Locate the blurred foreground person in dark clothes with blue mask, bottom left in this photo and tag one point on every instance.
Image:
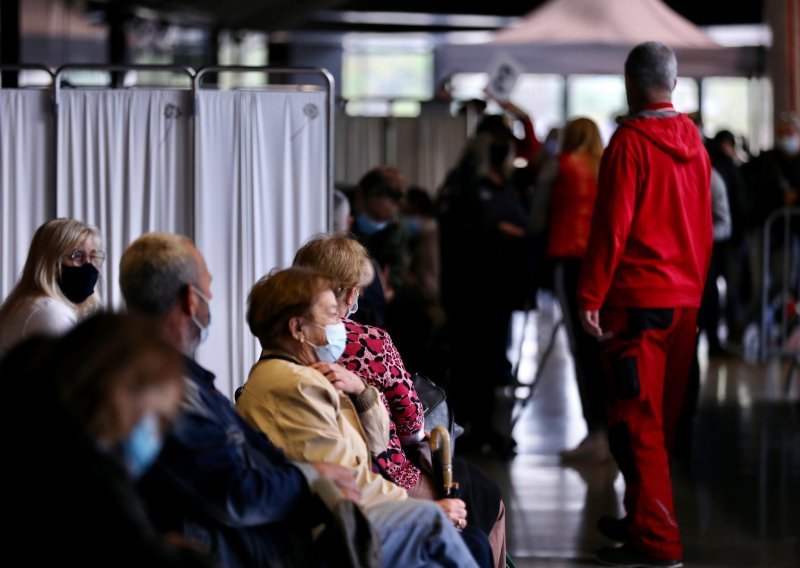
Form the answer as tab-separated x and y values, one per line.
104	395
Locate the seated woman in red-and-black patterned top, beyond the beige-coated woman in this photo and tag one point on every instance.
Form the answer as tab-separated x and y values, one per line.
370	353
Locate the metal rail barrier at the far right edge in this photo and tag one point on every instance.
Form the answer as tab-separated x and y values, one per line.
766	349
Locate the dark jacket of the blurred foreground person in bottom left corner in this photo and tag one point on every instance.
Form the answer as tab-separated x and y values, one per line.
74	504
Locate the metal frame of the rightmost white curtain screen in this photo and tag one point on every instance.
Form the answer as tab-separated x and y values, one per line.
315	71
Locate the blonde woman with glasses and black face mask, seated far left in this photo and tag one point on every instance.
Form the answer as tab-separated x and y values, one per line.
57	286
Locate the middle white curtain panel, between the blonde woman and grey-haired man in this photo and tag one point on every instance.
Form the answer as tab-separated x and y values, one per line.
124	165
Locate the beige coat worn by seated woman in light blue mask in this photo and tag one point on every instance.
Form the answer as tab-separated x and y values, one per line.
311	421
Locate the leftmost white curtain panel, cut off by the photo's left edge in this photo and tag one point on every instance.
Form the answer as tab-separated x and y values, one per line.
26	176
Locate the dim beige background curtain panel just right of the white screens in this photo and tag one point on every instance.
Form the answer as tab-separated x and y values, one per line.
360	145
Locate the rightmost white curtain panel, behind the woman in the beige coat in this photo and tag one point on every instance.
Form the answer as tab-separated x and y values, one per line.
261	192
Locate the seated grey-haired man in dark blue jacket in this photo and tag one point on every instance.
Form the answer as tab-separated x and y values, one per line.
218	480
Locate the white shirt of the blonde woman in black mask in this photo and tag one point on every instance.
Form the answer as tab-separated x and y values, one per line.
38	315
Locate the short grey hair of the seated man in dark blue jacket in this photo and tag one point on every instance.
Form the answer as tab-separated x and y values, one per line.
153	271
